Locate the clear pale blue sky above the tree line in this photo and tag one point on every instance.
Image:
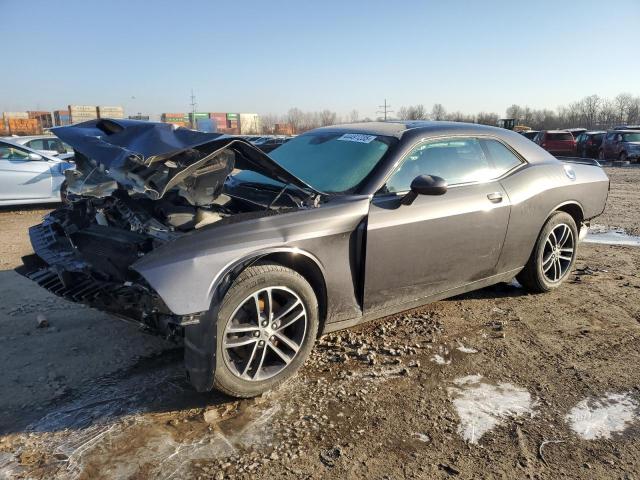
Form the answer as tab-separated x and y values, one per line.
266	57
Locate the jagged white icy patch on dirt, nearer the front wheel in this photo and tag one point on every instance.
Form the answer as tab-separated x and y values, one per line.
482	406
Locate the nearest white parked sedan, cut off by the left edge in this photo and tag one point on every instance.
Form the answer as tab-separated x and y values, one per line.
28	176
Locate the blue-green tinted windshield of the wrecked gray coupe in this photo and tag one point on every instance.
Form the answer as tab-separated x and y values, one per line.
329	162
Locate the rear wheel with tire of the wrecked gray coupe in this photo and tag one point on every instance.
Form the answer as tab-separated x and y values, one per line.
553	256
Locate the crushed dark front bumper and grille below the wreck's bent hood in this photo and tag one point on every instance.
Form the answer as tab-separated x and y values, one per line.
88	263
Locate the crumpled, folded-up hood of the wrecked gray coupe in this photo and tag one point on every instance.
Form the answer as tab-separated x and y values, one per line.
151	157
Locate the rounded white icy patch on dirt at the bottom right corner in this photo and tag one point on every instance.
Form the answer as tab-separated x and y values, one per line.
604	417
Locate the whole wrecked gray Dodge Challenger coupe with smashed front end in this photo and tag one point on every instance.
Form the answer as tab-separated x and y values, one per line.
250	257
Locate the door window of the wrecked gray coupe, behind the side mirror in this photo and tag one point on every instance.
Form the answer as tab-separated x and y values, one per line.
457	160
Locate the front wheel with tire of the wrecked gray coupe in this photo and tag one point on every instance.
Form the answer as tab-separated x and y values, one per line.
267	325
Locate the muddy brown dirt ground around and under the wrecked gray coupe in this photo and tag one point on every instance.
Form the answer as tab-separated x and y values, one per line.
492	384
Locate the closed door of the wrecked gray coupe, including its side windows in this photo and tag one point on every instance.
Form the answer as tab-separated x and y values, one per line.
438	242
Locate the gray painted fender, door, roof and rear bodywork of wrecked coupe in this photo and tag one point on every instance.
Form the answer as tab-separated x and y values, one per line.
412	253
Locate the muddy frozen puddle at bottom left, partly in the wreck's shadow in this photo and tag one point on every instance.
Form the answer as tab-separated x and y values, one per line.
148	424
